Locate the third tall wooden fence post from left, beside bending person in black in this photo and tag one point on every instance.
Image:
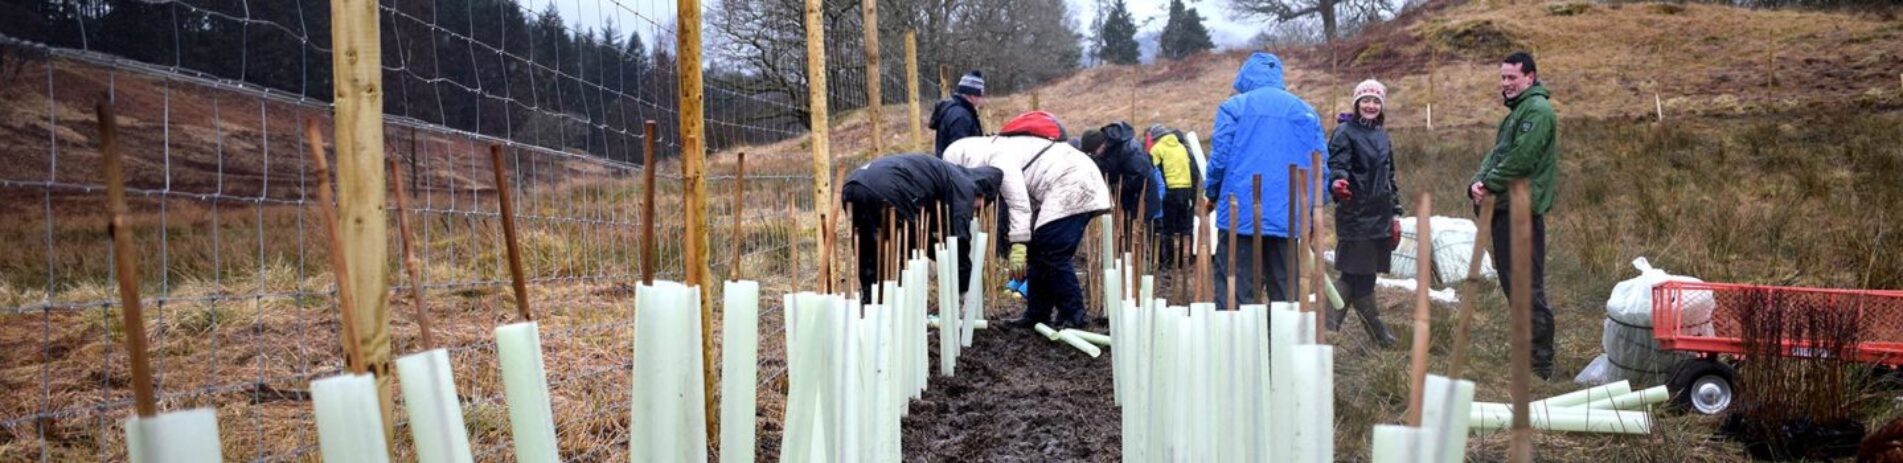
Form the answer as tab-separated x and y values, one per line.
819	132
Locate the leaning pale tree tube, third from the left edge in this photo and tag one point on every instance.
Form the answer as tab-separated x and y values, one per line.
435	413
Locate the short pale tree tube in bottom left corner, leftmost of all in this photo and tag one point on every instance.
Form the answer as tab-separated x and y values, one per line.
178	437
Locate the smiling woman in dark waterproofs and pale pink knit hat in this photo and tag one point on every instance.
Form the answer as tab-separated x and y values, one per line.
1362	176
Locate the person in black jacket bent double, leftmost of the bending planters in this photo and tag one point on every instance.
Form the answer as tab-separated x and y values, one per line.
911	188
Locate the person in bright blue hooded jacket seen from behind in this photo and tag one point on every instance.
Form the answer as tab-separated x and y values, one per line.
1261	131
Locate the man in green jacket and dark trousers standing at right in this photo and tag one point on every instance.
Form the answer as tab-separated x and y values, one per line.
1525	150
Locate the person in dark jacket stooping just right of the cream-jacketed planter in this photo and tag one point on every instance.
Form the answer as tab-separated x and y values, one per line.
1126	169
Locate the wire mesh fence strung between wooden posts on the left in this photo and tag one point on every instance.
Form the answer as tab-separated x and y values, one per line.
233	254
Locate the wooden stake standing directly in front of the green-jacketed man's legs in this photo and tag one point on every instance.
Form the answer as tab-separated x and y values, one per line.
1523	306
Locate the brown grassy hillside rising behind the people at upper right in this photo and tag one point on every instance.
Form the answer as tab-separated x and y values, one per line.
1599	60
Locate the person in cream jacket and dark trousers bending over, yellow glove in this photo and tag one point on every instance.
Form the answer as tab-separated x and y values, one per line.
1051	191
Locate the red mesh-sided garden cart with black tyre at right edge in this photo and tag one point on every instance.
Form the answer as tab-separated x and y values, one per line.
1708	321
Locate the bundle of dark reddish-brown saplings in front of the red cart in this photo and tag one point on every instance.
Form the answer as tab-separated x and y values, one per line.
1799	397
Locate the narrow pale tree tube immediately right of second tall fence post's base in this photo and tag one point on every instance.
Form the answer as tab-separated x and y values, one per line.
739	371
